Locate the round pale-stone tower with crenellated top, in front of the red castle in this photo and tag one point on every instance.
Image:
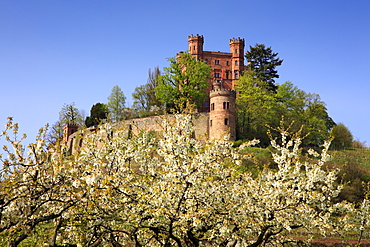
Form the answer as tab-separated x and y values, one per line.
222	112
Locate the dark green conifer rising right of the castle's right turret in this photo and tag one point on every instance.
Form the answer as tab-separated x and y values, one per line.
264	61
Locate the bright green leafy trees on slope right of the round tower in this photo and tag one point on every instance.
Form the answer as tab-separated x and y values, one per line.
259	109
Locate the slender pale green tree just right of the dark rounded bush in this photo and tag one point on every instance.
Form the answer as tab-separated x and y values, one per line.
116	104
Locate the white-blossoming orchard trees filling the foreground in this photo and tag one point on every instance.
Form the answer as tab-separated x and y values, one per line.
166	189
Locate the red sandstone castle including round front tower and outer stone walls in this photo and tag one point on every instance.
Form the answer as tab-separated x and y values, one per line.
216	117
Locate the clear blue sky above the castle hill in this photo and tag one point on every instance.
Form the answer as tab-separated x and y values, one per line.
64	51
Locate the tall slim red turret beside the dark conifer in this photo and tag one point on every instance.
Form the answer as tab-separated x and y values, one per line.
237	59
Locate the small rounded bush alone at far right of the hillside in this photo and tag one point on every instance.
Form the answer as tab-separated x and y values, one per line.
342	137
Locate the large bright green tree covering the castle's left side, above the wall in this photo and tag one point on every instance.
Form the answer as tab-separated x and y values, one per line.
184	83
